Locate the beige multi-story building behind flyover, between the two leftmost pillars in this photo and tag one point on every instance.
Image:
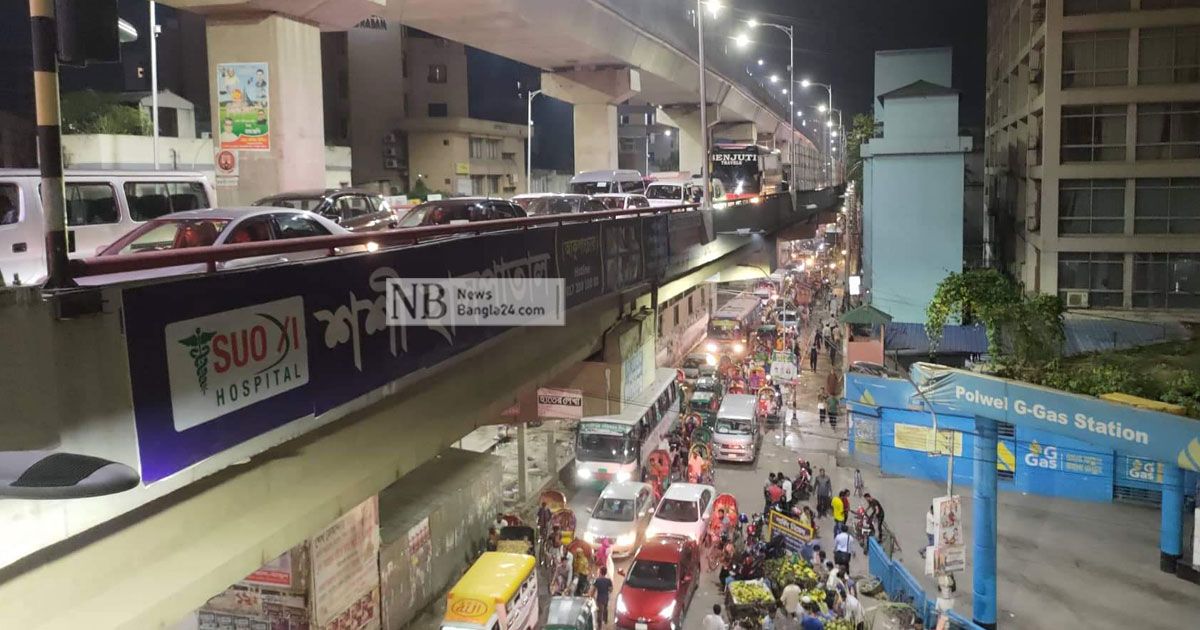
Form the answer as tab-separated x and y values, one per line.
401	100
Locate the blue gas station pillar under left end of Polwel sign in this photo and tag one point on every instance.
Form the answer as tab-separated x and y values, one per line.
985	521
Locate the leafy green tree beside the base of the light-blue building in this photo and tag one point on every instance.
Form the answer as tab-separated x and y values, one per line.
1022	328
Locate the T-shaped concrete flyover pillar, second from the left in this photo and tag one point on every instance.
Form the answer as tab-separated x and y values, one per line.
596	95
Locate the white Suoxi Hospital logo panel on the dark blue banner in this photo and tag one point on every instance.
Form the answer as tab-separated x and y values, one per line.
225	362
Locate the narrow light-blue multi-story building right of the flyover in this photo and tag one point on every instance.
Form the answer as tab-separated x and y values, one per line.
914	178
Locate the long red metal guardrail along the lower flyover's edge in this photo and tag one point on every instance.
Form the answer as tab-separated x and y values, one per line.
394	238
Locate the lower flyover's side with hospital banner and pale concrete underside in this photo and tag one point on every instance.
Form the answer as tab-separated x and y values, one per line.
226	489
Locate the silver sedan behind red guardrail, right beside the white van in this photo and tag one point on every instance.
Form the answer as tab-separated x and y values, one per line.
202	229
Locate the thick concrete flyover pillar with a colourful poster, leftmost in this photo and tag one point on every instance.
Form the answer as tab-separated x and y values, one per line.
292	157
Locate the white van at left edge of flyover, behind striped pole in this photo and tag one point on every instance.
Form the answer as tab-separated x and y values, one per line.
103	207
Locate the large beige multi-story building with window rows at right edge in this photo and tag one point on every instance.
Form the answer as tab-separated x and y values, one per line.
1094	149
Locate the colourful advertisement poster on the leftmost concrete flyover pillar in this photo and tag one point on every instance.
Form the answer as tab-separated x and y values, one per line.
243	106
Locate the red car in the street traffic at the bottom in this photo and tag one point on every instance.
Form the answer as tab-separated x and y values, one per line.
659	585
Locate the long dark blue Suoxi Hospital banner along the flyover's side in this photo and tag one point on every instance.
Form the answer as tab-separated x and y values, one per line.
218	361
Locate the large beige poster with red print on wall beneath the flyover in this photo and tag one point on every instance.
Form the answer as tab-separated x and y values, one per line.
346	571
